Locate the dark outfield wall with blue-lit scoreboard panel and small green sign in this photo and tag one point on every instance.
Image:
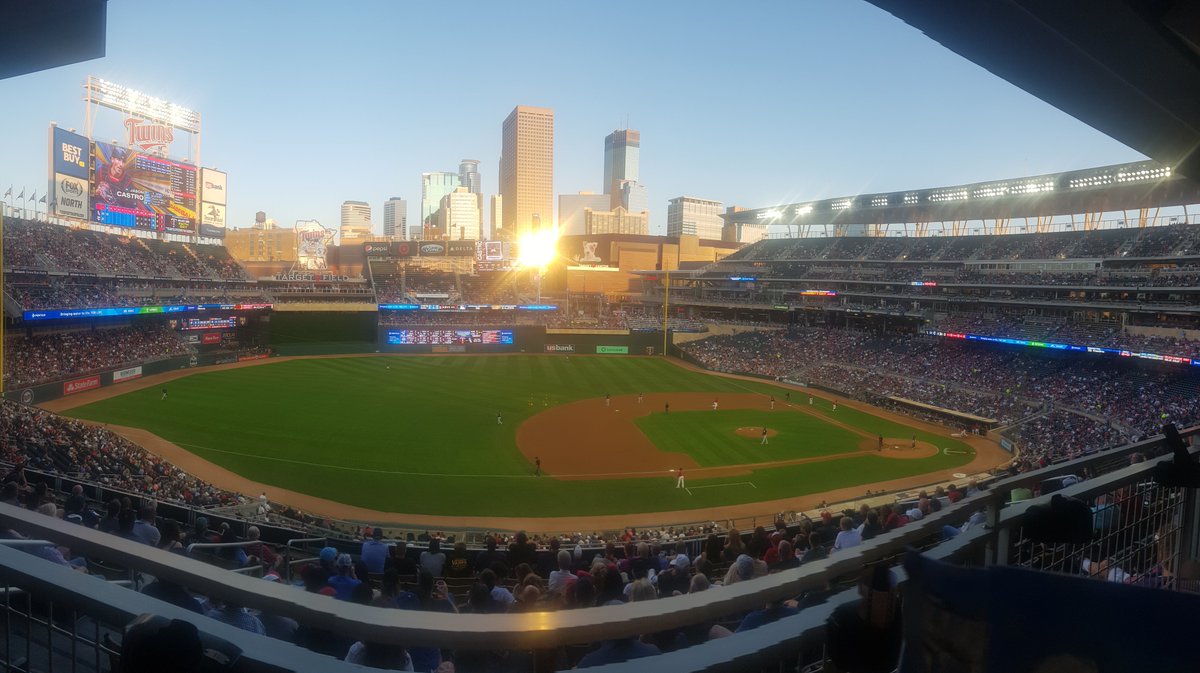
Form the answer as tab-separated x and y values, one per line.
525	339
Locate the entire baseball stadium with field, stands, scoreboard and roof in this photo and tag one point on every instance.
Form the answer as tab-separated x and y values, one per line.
303	449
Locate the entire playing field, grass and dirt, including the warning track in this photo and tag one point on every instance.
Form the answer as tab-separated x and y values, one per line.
418	436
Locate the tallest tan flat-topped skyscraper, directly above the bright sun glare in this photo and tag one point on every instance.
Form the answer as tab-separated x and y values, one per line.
527	170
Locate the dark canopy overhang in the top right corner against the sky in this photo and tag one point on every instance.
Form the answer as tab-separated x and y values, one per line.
1129	69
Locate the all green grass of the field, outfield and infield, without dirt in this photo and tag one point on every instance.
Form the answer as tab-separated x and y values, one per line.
419	435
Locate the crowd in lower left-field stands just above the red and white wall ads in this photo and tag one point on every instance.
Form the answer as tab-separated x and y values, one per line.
45	358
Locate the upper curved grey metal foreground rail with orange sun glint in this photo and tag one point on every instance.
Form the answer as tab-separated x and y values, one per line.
543	630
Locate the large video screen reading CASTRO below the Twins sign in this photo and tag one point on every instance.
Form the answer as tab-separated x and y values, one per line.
140	191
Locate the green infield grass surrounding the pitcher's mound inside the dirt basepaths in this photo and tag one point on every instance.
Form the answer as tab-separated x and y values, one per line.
711	437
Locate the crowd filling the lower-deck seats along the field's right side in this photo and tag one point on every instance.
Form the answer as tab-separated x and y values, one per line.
981	380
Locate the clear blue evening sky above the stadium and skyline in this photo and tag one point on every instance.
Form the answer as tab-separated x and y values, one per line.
307	105
